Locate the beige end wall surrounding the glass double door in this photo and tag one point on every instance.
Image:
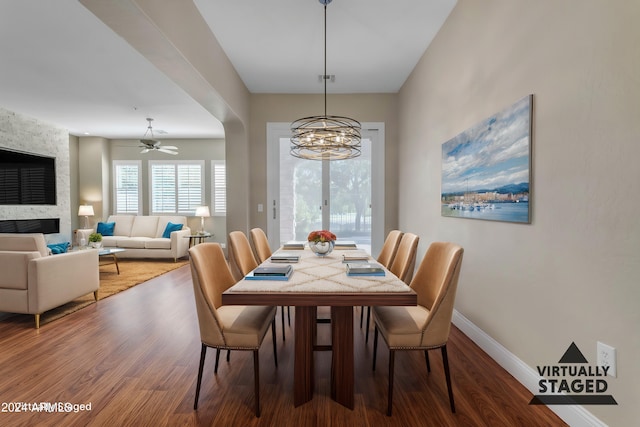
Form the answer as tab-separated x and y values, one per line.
287	108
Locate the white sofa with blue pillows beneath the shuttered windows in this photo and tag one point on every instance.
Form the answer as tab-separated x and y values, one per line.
141	236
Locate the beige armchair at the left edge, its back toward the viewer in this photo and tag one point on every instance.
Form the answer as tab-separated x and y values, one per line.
33	281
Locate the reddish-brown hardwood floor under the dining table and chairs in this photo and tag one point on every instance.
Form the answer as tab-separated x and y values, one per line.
134	358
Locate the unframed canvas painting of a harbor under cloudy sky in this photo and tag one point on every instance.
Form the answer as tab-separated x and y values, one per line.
486	170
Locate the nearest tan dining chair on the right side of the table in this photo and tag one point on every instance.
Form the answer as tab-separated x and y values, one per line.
425	326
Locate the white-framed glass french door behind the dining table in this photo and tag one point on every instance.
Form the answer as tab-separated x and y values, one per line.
344	196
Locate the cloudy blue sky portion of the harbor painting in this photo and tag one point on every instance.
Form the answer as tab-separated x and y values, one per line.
491	154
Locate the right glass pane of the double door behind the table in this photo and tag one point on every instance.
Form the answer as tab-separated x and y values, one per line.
350	216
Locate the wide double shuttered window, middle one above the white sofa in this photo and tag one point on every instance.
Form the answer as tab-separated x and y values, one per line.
176	187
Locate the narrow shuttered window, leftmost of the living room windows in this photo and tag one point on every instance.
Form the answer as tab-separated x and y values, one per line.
127	187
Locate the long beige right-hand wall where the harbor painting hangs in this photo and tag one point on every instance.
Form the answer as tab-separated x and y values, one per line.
572	274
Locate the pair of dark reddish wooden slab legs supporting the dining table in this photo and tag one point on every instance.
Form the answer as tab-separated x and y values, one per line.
342	358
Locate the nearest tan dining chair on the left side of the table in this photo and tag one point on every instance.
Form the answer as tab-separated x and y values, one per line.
229	327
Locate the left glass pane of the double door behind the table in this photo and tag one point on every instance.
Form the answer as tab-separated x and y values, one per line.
300	195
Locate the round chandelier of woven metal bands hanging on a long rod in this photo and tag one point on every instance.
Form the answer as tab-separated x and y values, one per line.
325	137
